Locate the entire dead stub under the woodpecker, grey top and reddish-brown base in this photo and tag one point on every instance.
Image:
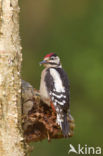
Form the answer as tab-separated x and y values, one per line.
40	121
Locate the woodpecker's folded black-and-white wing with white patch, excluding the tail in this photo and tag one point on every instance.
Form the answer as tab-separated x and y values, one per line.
58	87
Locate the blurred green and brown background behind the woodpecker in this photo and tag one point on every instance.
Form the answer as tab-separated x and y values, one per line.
73	29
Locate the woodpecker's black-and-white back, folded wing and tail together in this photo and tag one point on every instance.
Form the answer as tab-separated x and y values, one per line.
58	87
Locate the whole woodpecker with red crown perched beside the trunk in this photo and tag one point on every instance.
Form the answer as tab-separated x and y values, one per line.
55	90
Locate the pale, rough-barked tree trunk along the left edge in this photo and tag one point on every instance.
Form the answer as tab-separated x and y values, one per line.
11	138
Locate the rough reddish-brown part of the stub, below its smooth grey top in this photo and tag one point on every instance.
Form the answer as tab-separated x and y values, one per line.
43	124
